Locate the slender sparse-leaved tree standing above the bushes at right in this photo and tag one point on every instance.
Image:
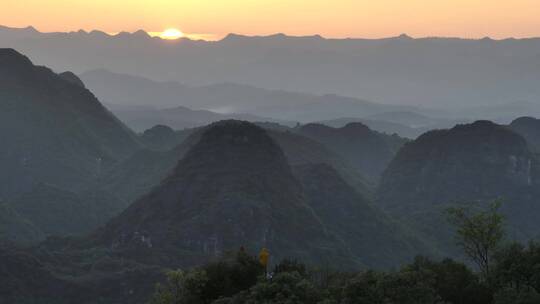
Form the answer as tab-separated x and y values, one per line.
479	233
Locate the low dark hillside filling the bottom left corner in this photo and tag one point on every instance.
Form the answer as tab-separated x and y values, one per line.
38	276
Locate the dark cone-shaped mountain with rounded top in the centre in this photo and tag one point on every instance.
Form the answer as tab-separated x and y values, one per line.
233	188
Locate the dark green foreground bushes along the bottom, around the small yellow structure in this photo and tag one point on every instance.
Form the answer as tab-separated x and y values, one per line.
422	282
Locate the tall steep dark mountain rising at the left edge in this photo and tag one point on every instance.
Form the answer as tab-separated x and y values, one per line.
55	135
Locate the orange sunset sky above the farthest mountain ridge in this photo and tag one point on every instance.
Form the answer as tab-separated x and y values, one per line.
330	18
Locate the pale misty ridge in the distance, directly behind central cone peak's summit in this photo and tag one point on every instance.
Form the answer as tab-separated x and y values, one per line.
126	95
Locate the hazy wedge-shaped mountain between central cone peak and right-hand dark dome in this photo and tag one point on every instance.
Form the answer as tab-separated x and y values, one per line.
368	152
